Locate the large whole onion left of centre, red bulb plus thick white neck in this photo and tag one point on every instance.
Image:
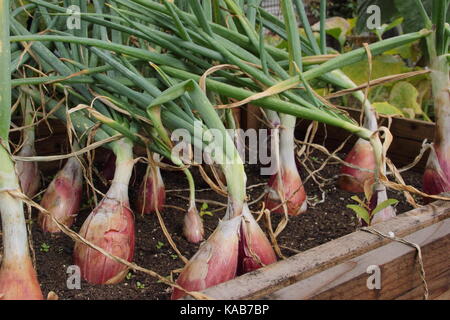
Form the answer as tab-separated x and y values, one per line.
110	226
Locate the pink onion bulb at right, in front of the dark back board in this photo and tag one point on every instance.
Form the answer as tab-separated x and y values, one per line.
352	180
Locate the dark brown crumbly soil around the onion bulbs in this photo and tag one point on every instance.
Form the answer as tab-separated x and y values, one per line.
323	222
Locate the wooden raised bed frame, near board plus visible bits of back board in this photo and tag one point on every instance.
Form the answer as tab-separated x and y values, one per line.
338	269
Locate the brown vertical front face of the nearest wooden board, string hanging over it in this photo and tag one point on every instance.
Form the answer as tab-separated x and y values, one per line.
398	266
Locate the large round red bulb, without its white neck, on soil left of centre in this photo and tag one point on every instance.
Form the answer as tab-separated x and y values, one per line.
111	227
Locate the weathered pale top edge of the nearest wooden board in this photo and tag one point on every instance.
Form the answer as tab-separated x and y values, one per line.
274	277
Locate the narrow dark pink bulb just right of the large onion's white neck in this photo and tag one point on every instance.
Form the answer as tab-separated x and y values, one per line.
150	199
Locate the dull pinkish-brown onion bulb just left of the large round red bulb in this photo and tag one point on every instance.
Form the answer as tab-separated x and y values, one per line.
63	197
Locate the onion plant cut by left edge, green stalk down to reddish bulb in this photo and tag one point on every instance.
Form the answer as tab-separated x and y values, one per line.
18	279
